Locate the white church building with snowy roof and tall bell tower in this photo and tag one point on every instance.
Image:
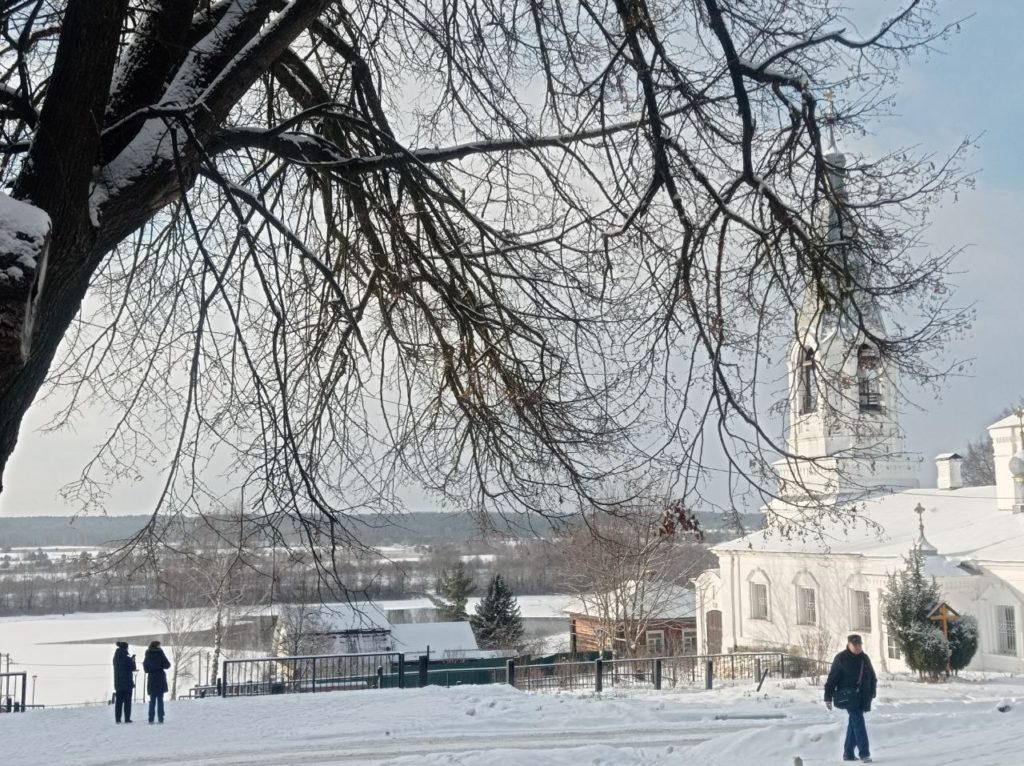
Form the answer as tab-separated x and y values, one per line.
777	589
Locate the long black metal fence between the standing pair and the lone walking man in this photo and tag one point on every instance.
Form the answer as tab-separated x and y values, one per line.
373	671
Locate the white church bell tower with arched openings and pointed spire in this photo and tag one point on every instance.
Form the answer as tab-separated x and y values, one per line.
843	425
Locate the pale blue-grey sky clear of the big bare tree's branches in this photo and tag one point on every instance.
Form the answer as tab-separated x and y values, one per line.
972	90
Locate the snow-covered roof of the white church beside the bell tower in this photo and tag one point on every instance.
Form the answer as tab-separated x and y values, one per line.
963	525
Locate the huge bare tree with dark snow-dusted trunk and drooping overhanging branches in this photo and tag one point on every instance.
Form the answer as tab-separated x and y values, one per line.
507	253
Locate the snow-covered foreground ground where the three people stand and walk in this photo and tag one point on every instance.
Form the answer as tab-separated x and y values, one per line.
913	724
